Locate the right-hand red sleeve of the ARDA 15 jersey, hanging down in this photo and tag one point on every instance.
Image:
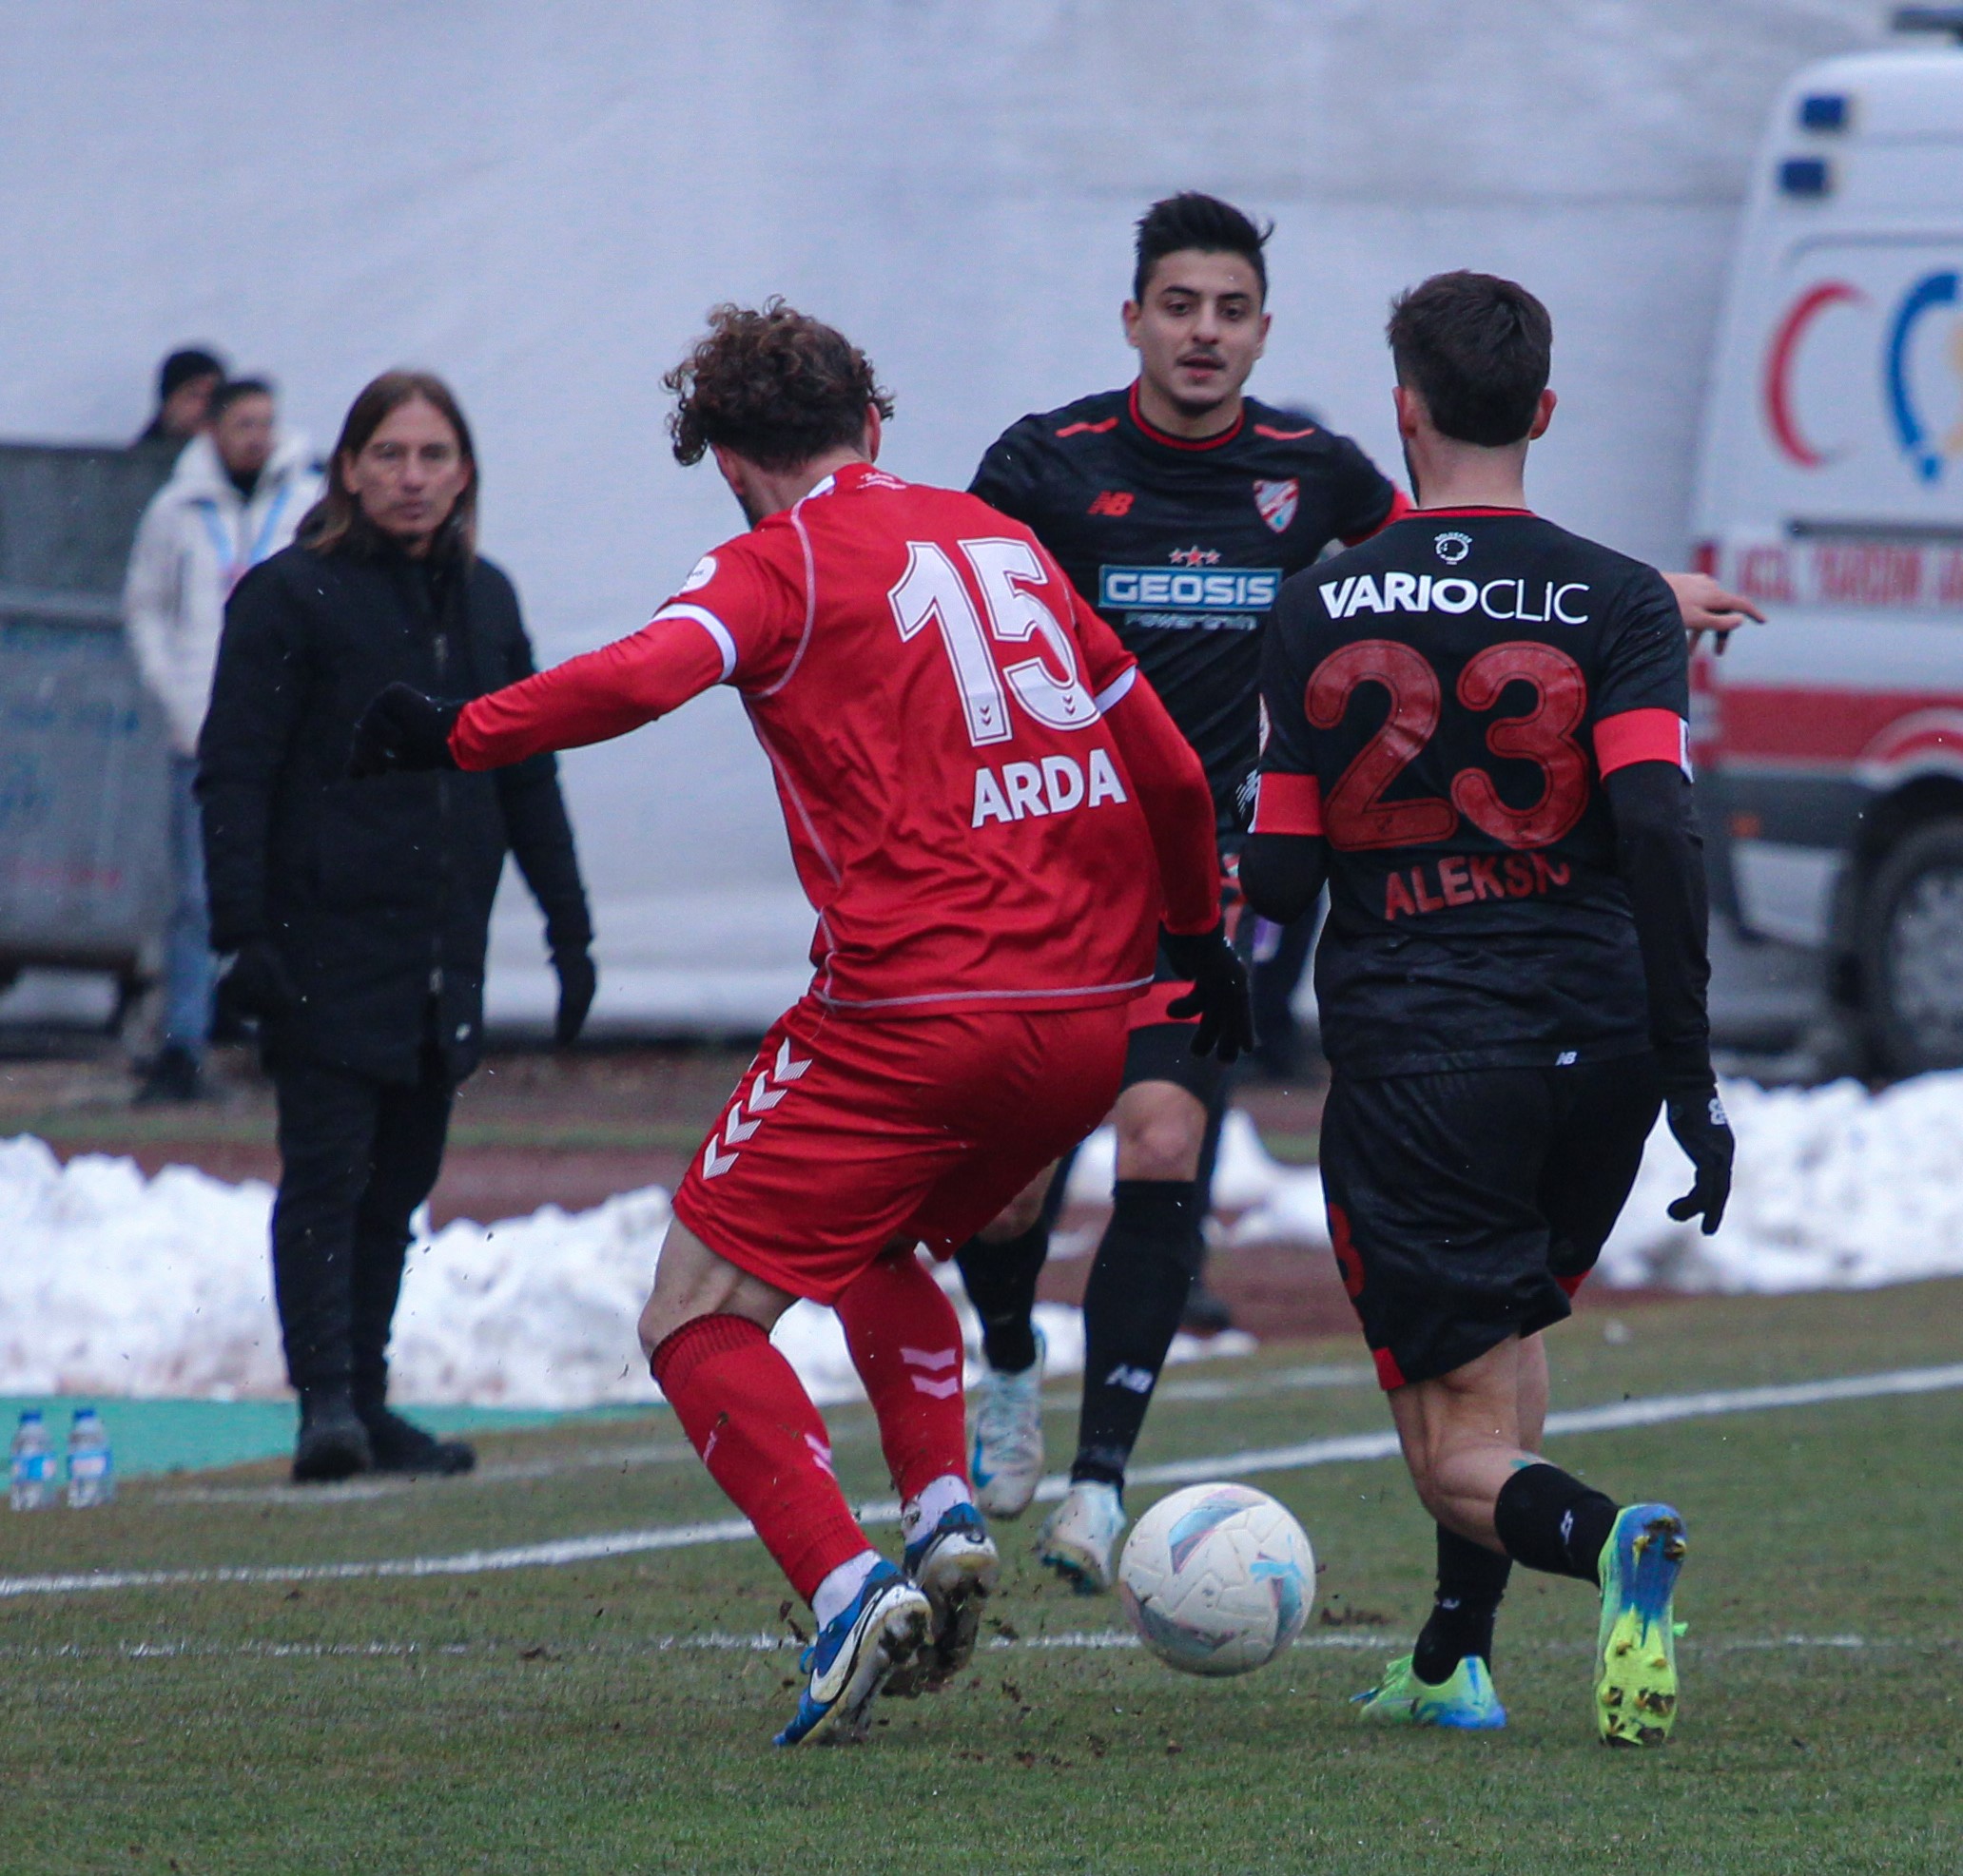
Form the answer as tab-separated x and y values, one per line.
1167	774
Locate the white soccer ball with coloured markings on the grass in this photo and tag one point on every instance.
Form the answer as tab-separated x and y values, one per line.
1218	1579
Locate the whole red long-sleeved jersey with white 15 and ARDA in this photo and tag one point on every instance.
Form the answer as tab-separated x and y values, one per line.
988	808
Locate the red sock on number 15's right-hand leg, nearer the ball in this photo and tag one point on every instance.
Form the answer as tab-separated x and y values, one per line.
908	1349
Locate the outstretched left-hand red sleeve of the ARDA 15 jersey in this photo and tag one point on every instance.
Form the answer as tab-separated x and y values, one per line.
737	619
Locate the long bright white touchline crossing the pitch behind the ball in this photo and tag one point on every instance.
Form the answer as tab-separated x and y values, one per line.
1346	1449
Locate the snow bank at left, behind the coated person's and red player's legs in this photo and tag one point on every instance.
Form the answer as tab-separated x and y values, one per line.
127	1286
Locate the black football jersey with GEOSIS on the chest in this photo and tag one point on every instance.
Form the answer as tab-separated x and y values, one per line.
1185	547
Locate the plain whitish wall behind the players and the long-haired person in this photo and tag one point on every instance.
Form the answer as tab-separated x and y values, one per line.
541	203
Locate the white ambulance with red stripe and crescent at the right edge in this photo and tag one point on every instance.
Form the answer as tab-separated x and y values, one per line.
1830	490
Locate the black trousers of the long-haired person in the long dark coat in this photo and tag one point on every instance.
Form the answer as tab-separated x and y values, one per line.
358	1157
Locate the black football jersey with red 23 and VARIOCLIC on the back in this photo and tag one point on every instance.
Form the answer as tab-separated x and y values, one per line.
1442	705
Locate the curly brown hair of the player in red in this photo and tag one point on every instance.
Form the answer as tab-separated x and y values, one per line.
774	386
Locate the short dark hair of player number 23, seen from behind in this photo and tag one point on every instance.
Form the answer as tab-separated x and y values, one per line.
1477	350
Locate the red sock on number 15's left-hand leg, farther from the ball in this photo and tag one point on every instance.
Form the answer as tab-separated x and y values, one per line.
763	1441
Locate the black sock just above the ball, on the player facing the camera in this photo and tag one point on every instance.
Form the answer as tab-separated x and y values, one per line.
1132	1314
